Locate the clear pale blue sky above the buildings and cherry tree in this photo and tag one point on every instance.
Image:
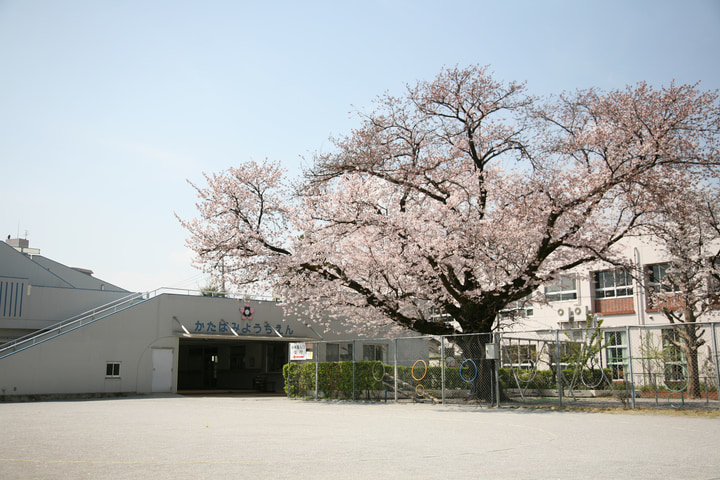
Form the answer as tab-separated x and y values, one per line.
108	106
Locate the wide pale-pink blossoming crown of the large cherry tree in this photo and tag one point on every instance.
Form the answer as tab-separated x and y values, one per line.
457	198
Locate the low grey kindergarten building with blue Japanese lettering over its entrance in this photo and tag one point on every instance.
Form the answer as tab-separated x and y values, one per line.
65	332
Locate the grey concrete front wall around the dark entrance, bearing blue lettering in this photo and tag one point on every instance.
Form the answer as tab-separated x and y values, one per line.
75	362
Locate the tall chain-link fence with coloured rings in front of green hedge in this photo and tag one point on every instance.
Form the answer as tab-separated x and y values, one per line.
671	366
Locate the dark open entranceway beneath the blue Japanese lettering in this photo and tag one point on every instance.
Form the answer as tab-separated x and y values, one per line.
238	366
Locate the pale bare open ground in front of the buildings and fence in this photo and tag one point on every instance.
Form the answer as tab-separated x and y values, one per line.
177	437
